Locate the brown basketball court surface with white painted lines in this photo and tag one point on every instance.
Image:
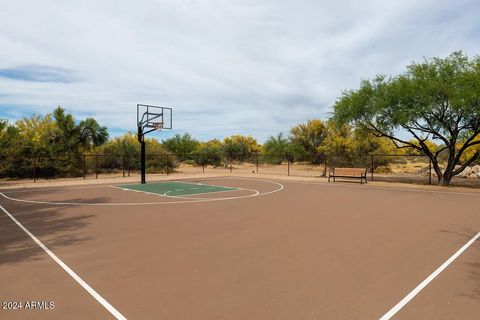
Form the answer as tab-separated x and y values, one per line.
263	250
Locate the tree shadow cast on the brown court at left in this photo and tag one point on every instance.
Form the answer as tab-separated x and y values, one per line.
51	225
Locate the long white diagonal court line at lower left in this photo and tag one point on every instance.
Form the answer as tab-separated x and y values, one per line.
67	269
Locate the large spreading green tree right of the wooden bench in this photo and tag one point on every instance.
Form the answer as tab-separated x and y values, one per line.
438	99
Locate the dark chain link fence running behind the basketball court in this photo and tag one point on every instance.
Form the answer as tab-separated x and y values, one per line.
390	168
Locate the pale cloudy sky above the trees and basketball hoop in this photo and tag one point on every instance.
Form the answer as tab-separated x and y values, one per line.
225	67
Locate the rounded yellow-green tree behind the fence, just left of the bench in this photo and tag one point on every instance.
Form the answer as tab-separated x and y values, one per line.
310	136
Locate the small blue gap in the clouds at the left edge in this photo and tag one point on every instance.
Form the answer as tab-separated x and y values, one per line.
36	73
